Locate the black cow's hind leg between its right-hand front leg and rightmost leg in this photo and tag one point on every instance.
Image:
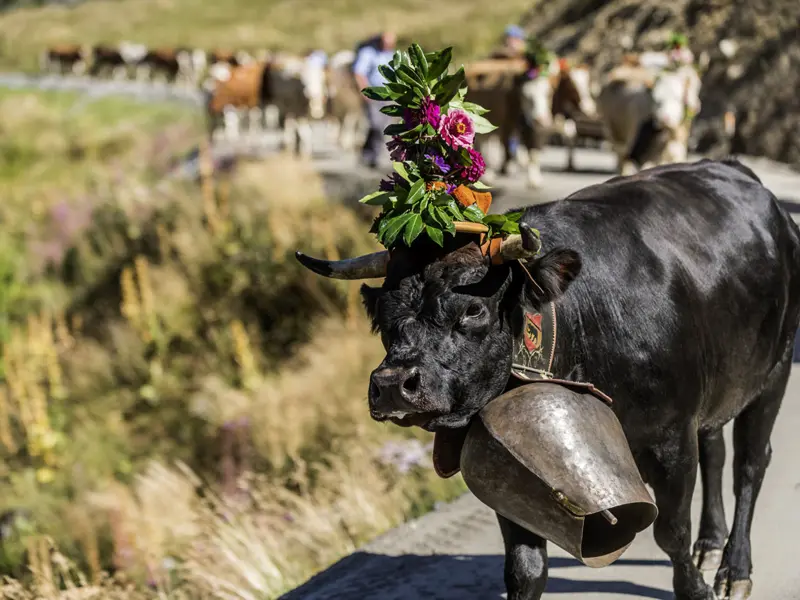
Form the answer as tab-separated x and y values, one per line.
713	529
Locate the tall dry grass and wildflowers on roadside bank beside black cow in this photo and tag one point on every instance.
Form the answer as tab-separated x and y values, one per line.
181	403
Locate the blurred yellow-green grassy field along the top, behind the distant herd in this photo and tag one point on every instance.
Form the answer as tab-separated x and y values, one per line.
293	25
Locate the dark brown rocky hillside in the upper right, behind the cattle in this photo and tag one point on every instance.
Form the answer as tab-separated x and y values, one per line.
753	47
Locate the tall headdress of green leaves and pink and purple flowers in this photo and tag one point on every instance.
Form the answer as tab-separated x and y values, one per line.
432	154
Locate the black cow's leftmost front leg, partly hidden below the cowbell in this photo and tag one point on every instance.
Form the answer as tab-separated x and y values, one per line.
525	570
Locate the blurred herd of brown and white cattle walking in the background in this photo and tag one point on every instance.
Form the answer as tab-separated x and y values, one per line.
248	94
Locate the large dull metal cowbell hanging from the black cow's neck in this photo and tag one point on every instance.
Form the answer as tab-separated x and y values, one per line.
552	458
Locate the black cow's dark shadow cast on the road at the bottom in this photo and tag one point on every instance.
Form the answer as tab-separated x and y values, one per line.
364	576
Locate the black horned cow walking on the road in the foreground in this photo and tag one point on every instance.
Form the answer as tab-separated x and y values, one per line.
678	294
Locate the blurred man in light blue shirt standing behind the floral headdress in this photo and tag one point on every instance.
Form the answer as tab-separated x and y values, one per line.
369	56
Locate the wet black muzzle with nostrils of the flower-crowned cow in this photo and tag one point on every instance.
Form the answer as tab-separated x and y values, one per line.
396	393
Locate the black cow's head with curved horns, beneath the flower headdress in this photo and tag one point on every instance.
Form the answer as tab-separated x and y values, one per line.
444	319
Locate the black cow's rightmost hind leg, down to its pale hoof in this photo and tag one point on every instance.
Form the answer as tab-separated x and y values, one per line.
752	453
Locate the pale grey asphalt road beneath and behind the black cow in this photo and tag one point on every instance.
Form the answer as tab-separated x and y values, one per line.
455	553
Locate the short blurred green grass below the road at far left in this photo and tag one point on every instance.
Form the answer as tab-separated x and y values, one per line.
61	147
